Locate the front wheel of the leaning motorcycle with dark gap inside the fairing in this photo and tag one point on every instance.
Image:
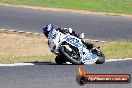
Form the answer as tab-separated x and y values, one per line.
72	56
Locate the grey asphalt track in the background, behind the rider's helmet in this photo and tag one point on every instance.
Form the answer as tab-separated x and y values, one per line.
108	28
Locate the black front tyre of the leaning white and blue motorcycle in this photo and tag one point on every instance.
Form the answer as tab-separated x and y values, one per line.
69	57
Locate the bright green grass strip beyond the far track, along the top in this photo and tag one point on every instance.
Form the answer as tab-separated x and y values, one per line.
115	6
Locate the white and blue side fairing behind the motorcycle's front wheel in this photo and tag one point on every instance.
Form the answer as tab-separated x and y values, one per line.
85	55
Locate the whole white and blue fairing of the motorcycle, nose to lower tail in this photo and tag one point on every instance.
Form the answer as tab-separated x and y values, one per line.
56	38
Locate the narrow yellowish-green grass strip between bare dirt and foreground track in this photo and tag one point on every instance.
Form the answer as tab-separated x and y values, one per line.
21	59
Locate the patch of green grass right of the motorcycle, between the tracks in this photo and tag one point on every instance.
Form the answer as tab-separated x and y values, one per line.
118	50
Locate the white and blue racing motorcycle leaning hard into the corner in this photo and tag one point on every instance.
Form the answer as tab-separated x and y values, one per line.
69	48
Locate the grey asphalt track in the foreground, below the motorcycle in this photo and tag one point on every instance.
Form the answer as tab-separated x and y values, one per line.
50	75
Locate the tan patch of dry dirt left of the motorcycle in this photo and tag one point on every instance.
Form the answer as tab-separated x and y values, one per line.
21	44
